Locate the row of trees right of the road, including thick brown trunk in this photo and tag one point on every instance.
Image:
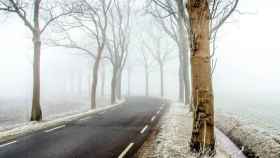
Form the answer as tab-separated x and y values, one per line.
193	25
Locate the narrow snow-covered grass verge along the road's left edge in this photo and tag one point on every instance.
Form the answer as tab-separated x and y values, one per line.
48	123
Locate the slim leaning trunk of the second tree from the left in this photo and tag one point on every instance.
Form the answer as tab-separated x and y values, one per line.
95	78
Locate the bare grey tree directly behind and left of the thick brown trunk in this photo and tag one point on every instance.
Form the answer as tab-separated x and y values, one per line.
168	16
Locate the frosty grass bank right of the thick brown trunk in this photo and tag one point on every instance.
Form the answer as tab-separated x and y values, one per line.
256	141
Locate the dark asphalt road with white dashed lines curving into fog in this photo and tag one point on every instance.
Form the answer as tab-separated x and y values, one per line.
117	132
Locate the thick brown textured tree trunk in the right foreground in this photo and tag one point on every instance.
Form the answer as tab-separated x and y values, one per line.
203	123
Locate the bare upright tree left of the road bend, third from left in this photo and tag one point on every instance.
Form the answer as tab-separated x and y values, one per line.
118	44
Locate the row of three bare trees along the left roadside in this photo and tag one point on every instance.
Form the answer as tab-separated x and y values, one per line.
105	24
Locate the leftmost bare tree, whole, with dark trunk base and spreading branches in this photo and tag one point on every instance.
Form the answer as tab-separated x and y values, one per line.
50	13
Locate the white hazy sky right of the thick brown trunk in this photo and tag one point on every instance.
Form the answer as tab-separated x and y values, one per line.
248	58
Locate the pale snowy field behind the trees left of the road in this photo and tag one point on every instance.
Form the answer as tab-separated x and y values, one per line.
14	112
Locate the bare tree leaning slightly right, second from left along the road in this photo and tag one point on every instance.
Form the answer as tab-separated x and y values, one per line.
91	18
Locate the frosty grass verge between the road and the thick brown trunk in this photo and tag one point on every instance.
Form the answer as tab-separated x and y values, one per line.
170	139
